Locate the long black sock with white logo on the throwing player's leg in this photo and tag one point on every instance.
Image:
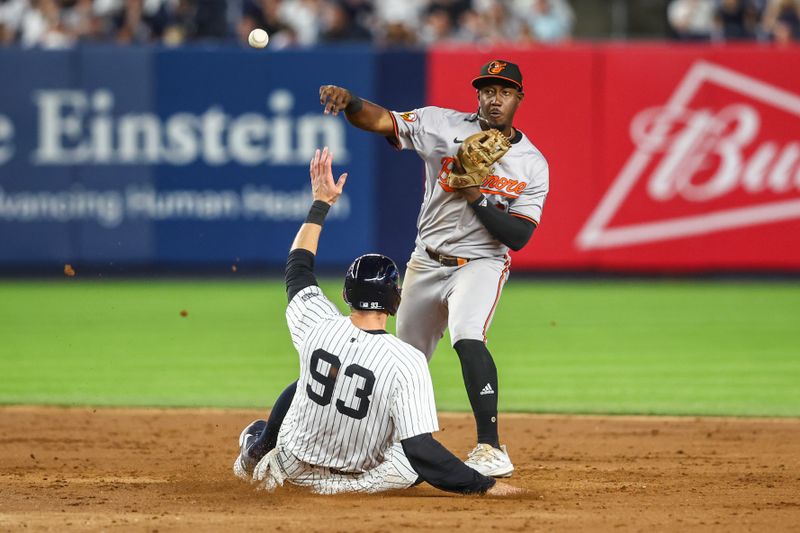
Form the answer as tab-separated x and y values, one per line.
480	379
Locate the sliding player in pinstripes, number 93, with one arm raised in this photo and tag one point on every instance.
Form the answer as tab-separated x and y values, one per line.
361	415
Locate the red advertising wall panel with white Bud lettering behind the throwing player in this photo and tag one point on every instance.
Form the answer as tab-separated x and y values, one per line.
662	158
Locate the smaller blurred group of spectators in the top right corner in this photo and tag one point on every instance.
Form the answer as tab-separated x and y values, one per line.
735	20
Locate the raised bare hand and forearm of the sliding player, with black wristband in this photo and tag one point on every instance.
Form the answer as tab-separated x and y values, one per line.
325	193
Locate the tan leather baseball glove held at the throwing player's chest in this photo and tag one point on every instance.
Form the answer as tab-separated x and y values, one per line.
476	155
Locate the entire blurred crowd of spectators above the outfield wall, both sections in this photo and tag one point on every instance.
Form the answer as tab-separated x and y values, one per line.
299	23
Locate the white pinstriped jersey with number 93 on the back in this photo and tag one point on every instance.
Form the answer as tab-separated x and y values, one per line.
358	392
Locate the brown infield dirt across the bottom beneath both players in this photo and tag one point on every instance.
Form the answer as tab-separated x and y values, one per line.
160	470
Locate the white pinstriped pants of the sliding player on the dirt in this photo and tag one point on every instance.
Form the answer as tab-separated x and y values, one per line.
279	466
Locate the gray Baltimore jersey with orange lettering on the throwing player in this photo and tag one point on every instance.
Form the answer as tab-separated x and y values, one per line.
519	182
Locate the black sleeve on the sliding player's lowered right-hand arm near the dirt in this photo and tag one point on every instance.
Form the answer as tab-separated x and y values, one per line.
435	464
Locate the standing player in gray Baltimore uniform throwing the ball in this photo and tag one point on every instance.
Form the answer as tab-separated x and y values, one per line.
460	262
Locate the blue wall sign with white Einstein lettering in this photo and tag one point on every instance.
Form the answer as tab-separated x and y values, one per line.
189	156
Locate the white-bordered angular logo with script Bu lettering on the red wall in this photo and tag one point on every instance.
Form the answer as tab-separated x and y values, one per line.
703	163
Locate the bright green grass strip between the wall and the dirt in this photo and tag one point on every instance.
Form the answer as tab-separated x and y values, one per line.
722	348
